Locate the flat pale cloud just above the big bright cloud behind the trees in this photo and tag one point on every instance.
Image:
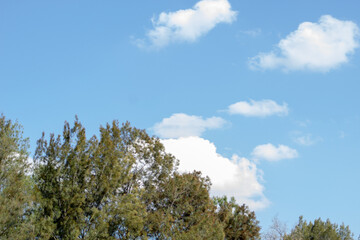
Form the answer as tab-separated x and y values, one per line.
183	125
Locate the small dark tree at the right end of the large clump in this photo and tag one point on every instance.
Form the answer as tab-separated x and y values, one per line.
239	222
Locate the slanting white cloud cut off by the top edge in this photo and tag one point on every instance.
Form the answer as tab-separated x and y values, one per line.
189	24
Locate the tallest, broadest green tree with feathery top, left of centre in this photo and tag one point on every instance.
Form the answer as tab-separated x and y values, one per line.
98	188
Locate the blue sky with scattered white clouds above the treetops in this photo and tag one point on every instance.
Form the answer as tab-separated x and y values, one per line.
261	96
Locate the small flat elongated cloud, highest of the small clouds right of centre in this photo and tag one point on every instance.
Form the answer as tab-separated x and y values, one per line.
261	108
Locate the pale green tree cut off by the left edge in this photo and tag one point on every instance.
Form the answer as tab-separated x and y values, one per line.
15	191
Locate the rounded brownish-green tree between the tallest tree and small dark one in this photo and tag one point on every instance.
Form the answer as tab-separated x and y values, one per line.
184	210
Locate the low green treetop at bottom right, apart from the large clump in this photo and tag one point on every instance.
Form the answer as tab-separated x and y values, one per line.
319	230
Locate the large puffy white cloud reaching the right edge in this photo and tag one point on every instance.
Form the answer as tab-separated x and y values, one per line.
313	46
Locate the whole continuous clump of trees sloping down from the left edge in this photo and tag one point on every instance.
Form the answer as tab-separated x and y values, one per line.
119	185
